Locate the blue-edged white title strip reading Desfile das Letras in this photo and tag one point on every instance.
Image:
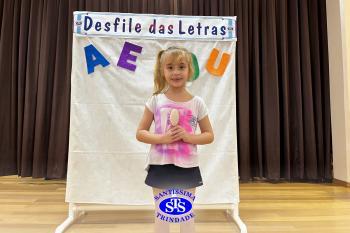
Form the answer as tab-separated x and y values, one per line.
155	26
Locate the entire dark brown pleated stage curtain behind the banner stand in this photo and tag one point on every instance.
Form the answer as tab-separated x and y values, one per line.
283	107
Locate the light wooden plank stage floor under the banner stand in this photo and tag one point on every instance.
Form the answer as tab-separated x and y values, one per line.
37	206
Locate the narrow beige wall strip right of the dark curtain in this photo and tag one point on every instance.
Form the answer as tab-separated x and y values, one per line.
338	24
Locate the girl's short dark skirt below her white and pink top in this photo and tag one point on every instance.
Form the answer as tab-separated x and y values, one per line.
169	176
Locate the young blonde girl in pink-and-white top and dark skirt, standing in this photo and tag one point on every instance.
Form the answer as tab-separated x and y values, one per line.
172	162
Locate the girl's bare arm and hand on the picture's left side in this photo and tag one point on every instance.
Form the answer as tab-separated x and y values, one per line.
143	134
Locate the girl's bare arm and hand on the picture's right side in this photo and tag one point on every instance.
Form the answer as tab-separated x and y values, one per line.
205	137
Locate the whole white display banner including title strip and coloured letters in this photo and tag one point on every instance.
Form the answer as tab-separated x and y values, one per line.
113	61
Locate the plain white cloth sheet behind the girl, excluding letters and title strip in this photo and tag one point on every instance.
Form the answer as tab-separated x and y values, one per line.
106	162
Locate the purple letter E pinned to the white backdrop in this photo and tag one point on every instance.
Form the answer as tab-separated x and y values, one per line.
125	56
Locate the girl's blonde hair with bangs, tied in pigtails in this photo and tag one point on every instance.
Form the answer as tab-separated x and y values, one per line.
176	53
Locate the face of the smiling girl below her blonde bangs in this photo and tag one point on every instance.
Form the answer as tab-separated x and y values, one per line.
176	72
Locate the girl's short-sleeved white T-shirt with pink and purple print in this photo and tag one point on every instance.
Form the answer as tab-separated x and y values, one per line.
178	153
